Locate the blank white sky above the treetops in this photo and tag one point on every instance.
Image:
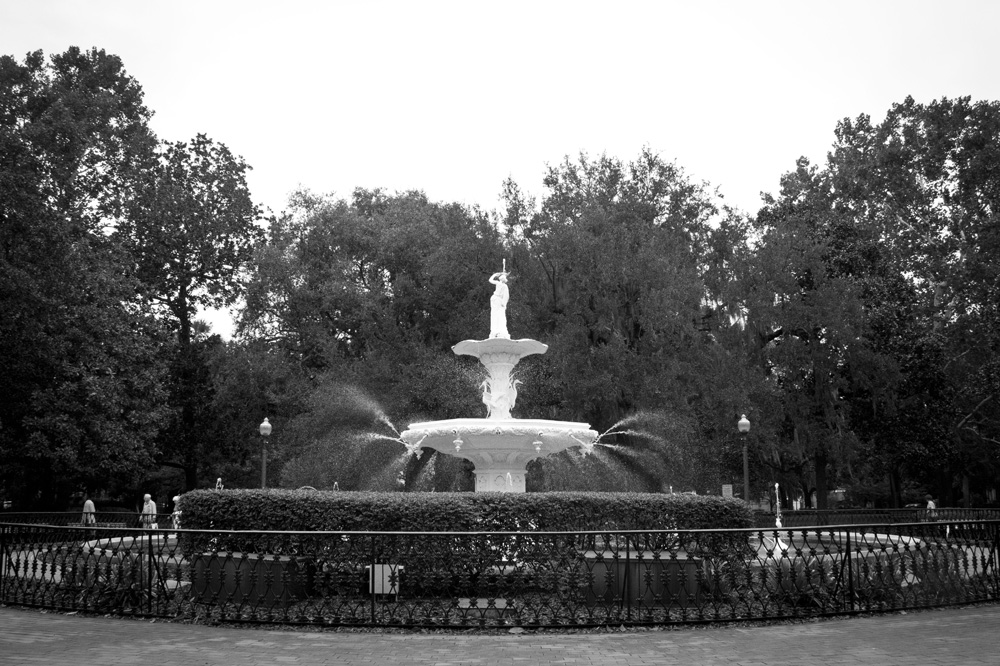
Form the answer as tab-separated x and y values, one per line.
454	97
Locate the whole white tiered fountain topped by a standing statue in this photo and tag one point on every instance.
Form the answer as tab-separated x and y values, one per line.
499	446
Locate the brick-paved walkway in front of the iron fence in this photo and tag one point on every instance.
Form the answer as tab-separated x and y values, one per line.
956	637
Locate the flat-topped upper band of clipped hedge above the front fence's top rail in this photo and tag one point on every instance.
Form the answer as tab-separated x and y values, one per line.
310	510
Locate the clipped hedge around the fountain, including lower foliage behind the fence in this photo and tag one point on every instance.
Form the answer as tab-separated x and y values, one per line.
437	563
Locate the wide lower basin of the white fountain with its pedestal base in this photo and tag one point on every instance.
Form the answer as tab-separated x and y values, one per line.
499	448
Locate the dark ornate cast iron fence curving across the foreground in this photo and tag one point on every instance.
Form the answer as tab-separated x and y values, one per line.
474	579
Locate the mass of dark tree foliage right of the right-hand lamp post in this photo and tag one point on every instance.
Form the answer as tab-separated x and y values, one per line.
879	323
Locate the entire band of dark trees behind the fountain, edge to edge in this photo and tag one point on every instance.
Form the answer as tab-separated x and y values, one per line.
854	318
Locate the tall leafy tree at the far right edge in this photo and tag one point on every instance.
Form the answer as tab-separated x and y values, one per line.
924	182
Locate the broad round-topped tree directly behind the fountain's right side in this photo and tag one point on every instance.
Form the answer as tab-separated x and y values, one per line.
622	259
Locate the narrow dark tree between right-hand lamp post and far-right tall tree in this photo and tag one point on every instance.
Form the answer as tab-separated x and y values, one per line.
804	312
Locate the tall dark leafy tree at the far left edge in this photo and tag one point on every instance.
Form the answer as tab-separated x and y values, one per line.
78	409
